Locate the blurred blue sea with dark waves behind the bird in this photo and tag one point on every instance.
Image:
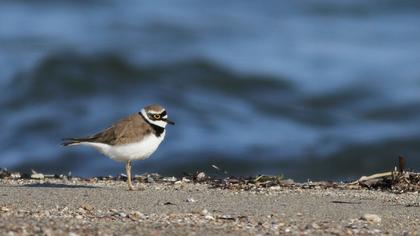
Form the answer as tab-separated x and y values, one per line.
309	89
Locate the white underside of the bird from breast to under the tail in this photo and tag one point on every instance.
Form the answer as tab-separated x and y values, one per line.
133	151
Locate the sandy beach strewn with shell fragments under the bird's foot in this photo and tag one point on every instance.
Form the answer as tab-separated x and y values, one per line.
61	206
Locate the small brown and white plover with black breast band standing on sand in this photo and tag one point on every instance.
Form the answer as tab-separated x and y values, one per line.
135	137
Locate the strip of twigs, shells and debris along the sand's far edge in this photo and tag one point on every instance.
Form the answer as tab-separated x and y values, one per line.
398	181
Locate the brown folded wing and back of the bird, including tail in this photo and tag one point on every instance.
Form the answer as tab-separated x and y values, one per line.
130	129
